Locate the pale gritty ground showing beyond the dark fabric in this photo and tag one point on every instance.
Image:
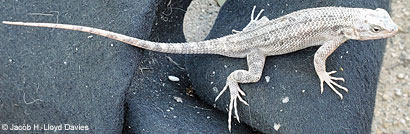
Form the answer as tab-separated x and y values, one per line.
392	102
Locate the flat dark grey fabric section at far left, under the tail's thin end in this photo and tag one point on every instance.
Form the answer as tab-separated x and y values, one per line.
80	78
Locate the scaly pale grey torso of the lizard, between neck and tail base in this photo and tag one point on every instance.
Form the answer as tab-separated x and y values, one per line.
294	31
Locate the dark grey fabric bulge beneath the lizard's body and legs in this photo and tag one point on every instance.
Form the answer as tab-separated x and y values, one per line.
293	76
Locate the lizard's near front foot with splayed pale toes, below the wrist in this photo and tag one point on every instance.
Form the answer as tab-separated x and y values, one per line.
325	77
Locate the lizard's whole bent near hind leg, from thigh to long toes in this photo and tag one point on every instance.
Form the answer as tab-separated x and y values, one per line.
256	61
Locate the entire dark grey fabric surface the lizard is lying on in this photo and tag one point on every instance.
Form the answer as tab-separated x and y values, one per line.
53	77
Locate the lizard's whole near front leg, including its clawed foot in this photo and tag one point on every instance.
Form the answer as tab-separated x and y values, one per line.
320	65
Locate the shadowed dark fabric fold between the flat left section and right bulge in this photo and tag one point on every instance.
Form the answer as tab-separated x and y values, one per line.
153	103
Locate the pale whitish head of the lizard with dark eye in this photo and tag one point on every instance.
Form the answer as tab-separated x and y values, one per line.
373	24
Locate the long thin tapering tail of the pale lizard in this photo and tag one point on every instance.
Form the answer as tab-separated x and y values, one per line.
176	48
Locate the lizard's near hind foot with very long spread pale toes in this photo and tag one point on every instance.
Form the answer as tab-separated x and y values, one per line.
235	93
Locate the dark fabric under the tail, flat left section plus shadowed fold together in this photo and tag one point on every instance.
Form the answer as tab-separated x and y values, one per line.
52	76
